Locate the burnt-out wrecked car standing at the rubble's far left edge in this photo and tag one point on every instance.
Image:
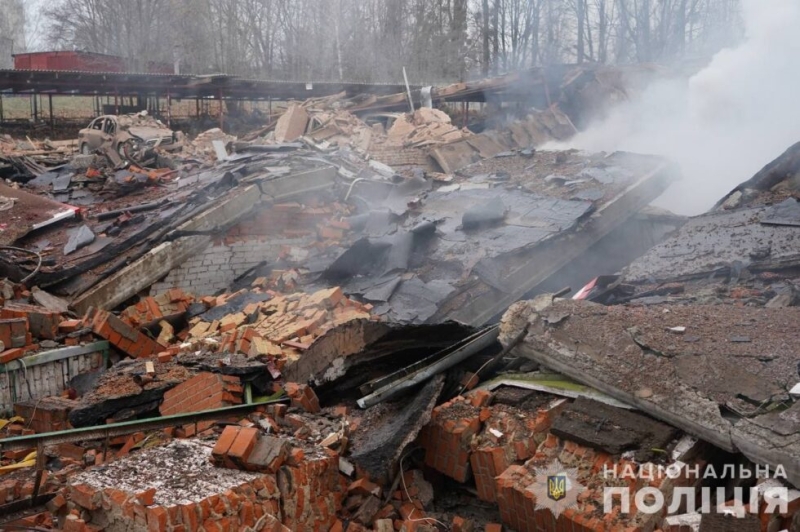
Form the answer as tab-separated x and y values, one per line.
133	138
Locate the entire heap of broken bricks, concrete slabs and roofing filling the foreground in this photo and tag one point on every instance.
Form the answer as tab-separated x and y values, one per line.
288	331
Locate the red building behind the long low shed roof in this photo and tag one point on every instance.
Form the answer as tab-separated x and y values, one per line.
82	62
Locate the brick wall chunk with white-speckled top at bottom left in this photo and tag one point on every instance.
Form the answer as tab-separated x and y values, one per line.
193	494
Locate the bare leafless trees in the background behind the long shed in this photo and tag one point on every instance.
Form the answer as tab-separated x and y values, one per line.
371	40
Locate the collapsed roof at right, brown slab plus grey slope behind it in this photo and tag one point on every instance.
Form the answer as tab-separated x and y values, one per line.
707	340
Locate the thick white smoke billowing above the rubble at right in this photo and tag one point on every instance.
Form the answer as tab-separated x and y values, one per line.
726	122
